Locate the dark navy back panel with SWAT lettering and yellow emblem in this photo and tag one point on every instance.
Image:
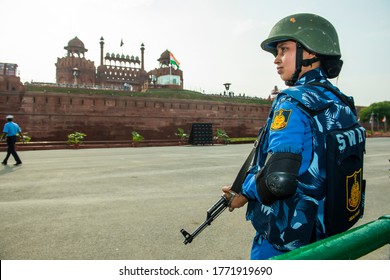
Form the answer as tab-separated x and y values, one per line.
344	203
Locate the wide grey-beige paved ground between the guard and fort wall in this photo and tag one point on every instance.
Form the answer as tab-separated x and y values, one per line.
130	203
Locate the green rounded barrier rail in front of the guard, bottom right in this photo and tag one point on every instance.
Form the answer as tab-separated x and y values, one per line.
349	245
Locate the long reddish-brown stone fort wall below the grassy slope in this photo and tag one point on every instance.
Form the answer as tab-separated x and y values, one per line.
52	116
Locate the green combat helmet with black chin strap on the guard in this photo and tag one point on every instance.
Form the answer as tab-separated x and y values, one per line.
312	32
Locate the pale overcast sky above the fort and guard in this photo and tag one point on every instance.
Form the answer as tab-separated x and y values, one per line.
216	41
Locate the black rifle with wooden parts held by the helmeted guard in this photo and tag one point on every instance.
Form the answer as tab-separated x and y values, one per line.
223	202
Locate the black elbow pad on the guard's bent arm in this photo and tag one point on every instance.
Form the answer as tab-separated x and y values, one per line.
278	179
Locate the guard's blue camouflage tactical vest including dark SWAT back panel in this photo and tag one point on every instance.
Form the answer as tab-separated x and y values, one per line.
337	163
